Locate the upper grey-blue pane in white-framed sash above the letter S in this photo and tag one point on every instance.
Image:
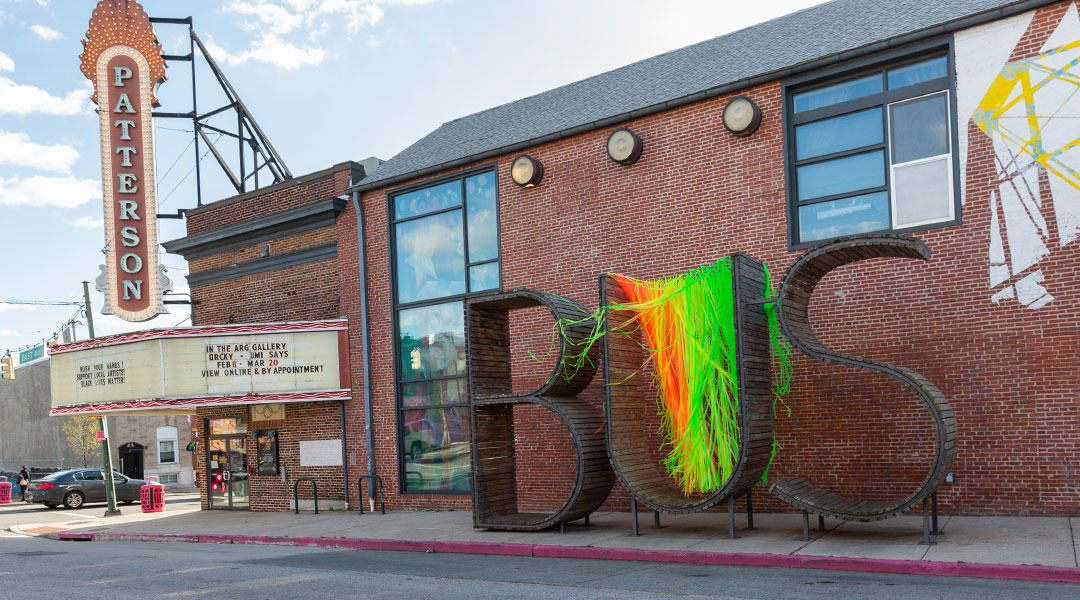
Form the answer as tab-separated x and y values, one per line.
920	129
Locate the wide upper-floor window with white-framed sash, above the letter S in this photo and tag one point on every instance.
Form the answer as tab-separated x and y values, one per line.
872	153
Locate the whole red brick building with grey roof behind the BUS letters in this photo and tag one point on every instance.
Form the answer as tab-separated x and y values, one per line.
949	122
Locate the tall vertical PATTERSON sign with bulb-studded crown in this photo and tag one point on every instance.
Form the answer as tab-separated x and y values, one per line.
124	60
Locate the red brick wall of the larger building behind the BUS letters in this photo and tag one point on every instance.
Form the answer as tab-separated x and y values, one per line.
699	195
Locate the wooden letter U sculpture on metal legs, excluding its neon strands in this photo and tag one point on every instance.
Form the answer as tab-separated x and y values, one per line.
626	404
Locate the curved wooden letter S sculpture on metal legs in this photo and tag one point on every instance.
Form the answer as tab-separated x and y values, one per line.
793	305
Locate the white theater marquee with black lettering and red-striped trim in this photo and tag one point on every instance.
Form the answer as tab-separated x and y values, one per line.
177	371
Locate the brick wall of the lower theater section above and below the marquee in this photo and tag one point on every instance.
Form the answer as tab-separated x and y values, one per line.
307	292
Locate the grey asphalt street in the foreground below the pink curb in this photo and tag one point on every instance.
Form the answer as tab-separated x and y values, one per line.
179	570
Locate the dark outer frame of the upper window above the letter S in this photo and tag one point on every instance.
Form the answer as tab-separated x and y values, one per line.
853	71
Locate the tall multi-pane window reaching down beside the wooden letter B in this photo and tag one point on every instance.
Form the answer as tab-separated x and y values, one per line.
445	239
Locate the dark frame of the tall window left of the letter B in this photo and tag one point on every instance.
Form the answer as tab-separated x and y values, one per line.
398	307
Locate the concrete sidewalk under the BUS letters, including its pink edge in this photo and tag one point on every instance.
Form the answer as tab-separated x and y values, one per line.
1043	549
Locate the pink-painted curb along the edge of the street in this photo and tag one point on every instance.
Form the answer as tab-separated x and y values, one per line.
1035	574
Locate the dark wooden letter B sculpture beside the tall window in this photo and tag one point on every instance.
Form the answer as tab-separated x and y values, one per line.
492	399
